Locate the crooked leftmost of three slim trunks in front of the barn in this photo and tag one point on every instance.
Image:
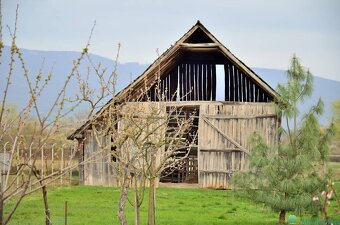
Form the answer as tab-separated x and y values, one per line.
123	196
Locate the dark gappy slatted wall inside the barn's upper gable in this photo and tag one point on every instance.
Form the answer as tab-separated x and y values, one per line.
193	78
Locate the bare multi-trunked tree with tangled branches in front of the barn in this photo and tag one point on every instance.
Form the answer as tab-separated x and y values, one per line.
137	136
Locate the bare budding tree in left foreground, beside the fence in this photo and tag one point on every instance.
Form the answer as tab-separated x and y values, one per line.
19	175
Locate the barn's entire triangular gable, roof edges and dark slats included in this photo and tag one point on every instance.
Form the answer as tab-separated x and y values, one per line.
187	72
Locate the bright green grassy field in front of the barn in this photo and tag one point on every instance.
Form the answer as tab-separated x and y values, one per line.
97	205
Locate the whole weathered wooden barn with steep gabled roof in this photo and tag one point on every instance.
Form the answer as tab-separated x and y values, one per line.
230	102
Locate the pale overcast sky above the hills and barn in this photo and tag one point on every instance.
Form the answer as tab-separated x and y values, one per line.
262	33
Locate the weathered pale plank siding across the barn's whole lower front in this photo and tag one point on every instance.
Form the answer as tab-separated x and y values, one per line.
223	135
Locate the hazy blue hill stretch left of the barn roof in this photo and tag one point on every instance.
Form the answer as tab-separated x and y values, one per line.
61	62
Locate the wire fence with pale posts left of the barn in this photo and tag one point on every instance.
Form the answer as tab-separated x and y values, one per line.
47	161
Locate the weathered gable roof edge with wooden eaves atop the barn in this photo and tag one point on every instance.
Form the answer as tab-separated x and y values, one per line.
198	38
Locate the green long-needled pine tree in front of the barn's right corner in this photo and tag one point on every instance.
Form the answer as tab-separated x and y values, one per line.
288	177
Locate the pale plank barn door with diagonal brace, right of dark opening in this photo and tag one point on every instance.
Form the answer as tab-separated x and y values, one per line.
223	139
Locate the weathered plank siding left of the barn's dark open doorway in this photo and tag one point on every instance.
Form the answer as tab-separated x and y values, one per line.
99	169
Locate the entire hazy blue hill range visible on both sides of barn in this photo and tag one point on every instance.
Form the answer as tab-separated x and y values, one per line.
61	61
